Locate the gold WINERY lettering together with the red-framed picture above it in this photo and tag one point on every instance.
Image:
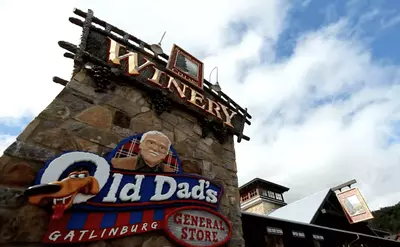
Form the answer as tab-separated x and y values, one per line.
135	64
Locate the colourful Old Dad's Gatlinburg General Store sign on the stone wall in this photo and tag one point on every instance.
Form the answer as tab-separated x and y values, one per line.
139	187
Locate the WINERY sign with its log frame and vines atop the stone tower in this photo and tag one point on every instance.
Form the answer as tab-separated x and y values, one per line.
113	57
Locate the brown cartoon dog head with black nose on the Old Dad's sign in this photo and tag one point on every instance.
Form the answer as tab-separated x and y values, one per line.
62	193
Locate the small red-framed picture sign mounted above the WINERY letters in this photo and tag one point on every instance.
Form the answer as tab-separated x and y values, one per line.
186	67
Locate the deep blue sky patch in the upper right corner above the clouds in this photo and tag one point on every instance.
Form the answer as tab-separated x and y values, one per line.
375	22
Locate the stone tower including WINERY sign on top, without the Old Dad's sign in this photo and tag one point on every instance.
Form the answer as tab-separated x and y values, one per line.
121	88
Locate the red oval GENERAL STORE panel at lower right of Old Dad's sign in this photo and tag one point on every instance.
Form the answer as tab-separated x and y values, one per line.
198	234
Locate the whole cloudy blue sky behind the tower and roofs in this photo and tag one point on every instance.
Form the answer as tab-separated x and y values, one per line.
321	79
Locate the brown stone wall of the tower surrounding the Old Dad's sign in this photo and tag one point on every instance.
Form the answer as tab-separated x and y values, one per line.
80	119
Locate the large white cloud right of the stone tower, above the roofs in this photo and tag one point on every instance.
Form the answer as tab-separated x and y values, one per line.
312	148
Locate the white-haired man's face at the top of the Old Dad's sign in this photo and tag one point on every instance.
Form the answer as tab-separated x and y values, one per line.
154	148
